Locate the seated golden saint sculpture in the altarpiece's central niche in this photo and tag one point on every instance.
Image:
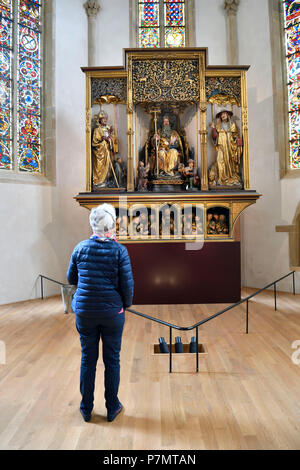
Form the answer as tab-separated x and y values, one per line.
168	148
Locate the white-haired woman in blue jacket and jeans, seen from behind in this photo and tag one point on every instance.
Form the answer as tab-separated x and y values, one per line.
100	268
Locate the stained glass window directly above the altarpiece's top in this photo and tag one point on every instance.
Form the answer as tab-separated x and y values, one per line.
161	23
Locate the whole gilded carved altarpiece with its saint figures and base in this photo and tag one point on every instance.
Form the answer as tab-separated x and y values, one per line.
167	145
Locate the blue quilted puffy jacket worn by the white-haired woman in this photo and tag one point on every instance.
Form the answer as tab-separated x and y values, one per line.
101	270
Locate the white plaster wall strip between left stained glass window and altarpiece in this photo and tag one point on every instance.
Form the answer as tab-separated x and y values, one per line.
71	53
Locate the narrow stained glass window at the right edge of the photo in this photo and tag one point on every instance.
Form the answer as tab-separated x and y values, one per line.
291	9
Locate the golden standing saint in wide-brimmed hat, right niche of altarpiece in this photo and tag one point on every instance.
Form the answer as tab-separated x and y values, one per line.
228	143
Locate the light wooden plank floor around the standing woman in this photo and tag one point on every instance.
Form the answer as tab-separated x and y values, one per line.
246	395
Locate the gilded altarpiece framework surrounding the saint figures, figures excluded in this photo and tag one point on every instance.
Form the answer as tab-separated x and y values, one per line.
181	82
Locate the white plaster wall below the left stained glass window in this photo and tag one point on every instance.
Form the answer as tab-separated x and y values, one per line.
25	249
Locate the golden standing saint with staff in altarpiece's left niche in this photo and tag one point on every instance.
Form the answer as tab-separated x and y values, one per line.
105	146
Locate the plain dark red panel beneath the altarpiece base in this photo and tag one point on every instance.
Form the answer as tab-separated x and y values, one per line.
167	273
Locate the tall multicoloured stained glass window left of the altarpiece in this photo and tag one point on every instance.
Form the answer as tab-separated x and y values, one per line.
20	50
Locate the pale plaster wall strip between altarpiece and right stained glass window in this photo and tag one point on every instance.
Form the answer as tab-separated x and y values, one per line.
261	247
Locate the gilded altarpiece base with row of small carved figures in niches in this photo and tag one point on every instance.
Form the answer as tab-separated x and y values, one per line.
202	217
